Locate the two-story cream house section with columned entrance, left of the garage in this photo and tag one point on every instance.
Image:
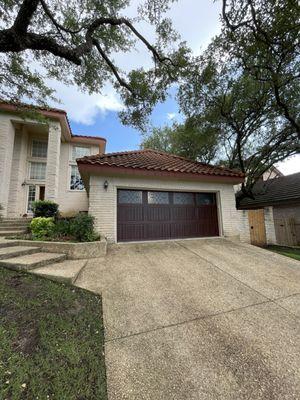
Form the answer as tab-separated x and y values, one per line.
38	161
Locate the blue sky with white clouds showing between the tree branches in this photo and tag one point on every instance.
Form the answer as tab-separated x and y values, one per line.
197	21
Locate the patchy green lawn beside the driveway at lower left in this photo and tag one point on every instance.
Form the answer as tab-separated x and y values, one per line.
52	340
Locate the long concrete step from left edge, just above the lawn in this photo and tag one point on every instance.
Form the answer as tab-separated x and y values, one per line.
32	261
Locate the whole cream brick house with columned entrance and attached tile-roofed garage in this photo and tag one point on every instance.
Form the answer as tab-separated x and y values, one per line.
133	195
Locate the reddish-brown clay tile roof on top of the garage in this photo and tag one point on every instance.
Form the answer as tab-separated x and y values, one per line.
153	160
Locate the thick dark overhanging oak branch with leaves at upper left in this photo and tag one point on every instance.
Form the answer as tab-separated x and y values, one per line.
75	42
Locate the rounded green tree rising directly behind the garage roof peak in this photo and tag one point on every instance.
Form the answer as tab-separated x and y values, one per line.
195	141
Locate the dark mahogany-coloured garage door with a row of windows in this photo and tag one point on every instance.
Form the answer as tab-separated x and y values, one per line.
150	215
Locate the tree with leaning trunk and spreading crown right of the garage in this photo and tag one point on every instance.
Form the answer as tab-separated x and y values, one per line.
252	131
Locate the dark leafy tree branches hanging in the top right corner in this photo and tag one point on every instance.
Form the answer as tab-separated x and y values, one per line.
263	36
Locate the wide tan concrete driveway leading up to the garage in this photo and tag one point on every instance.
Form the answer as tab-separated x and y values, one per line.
198	320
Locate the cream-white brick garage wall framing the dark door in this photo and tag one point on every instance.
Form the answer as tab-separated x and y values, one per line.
103	203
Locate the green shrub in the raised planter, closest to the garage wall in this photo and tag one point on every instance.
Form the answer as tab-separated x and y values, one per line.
82	228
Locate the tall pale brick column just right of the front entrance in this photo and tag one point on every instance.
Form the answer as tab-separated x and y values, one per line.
53	158
